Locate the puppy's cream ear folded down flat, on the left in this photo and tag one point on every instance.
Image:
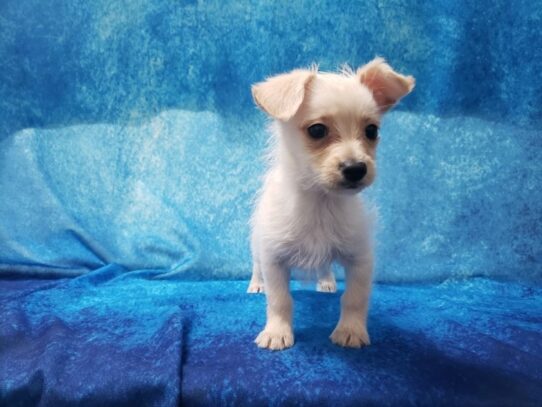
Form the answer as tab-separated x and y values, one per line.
281	96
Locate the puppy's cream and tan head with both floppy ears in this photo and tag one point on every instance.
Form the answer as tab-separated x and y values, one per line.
330	121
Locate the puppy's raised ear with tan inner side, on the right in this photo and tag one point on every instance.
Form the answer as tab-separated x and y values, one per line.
386	85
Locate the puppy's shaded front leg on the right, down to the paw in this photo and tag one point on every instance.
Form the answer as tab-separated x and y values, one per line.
351	331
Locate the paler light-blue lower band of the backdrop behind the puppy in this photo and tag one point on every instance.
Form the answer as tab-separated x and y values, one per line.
175	193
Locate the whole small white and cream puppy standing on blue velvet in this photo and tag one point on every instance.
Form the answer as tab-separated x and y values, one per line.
308	214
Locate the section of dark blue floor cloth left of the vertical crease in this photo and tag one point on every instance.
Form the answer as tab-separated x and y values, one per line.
100	339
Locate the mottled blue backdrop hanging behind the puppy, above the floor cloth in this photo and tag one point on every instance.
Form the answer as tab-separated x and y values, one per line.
128	134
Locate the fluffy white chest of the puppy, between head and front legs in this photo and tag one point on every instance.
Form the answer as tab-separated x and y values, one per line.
306	229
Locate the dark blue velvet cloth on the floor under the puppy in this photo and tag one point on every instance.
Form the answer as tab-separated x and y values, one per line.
113	337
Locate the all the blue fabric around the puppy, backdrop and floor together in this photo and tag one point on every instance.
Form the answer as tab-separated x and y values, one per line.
128	136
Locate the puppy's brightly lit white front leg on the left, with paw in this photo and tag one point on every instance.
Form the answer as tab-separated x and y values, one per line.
277	333
